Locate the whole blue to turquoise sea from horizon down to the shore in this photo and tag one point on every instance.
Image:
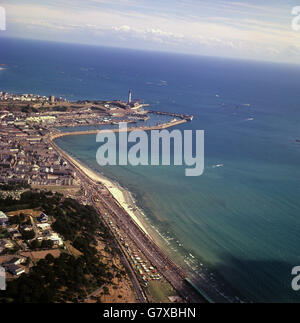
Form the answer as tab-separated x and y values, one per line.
239	224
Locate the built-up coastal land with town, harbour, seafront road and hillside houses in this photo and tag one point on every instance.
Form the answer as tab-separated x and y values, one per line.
30	160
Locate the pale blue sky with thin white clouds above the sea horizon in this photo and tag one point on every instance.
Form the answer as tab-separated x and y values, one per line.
244	29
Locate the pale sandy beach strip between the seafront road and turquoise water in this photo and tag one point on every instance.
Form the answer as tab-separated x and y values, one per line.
120	194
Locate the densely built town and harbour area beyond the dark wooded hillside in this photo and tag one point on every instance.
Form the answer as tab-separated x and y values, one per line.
25	132
